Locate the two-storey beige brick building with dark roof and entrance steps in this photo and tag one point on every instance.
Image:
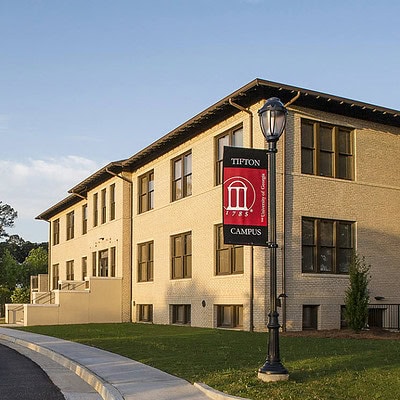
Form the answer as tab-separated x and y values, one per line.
140	240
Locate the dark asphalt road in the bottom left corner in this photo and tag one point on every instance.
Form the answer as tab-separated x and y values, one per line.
22	379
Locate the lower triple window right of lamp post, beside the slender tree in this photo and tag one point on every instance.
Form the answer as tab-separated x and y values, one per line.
327	245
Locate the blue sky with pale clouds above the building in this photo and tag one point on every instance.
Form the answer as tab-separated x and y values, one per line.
86	82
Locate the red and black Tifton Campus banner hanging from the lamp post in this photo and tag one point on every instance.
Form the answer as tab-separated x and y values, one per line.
245	196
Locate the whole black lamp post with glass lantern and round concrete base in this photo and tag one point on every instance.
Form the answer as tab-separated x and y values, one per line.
273	120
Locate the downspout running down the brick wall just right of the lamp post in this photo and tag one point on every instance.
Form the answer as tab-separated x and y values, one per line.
283	299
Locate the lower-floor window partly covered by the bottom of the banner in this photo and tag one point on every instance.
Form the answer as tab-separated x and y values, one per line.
229	258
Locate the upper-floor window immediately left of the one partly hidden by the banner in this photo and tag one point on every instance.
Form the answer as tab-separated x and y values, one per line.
182	177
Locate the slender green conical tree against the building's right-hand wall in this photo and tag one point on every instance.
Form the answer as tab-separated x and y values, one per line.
357	294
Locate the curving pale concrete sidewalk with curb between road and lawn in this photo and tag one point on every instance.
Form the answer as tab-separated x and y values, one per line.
107	375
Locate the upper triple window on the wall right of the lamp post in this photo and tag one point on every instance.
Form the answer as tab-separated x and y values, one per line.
326	150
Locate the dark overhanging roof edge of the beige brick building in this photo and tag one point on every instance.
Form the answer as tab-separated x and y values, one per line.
249	94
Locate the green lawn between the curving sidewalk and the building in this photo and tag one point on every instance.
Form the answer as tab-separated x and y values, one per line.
320	368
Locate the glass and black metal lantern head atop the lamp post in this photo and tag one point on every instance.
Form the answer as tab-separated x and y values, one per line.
272	119
